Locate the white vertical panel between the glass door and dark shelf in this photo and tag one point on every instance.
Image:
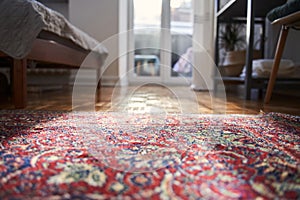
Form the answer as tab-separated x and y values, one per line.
203	45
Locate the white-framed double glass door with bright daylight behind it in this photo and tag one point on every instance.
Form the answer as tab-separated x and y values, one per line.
161	39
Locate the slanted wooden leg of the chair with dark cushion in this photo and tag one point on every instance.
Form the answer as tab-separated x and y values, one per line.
279	50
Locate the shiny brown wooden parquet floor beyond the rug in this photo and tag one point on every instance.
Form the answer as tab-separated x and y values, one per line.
153	98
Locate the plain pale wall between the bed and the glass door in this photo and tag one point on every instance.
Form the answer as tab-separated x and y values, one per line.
100	19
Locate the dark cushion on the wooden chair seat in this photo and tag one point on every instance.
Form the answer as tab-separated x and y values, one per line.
284	10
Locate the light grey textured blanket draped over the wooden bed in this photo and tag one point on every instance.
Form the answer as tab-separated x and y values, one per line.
22	20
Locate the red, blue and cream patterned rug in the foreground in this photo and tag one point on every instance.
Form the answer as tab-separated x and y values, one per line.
59	155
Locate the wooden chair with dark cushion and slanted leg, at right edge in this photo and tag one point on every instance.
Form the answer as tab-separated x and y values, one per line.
288	16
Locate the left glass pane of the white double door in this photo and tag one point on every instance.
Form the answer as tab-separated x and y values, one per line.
147	40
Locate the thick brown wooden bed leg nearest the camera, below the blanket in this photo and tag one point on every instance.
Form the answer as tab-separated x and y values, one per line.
19	83
